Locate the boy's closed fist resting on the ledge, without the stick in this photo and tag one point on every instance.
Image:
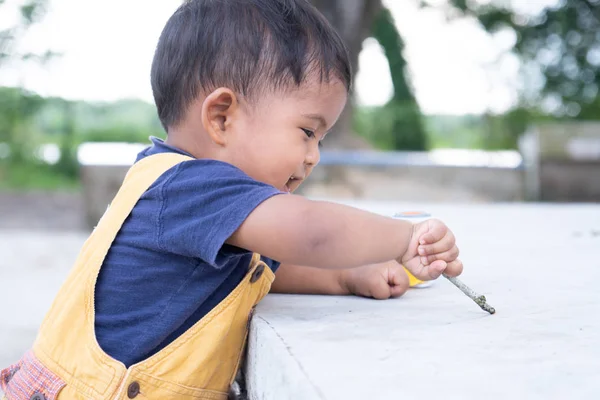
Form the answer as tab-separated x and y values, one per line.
380	281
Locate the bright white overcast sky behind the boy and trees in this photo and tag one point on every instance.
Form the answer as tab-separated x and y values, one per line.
107	47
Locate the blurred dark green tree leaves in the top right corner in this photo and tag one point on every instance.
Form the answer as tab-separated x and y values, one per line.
561	43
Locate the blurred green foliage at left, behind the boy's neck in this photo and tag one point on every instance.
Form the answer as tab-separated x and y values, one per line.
28	121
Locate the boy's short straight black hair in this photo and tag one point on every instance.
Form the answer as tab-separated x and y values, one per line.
246	45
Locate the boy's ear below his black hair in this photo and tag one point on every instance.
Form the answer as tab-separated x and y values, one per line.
218	111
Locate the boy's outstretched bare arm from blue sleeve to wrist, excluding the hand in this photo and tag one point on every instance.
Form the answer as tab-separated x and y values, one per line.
295	230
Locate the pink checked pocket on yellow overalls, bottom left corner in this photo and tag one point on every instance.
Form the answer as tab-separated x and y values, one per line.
30	380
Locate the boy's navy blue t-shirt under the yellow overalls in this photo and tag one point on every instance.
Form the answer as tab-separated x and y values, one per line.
169	264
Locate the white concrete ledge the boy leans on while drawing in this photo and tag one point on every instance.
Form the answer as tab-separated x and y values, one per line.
538	267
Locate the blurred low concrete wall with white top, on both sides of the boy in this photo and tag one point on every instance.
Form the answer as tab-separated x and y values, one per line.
446	176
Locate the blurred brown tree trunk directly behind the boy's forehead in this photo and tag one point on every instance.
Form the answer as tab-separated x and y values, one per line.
353	20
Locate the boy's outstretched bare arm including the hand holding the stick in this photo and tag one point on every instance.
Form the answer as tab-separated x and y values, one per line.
298	231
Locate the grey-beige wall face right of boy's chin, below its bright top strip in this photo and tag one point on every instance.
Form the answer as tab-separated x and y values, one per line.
416	183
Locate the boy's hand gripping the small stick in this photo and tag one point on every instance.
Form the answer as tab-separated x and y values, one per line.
432	251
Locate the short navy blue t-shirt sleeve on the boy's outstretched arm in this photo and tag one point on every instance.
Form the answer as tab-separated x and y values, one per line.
203	202
